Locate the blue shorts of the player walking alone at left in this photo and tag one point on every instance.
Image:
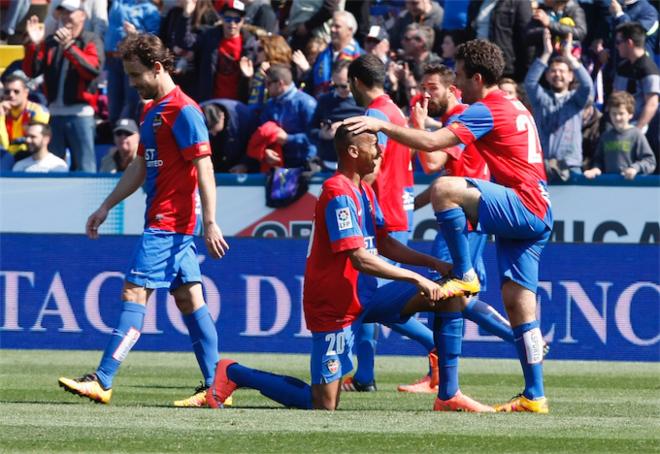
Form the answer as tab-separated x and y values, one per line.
164	259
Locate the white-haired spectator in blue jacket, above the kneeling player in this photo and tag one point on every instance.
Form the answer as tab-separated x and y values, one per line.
343	47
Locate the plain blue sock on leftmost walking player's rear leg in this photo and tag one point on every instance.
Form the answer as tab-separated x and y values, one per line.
204	338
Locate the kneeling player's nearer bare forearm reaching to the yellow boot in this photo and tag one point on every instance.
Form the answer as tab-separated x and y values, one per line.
366	262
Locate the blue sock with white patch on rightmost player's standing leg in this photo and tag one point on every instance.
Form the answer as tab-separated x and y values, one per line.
529	343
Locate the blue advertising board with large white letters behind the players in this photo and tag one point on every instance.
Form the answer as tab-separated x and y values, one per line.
596	301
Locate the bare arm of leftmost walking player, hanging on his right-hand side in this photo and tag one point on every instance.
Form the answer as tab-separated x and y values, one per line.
215	242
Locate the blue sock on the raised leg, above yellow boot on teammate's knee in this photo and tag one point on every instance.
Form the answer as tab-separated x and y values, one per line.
453	225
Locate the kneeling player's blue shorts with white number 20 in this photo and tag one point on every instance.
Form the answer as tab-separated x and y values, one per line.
331	350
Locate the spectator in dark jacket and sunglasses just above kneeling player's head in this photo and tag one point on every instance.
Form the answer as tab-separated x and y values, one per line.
331	110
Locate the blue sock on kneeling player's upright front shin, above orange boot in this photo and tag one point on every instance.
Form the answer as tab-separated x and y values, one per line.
449	329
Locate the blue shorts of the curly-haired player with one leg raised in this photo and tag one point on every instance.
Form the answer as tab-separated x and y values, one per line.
520	235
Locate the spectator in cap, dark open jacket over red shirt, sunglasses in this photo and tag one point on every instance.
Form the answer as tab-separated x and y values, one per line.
218	51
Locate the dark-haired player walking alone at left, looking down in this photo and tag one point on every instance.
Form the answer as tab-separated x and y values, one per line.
174	159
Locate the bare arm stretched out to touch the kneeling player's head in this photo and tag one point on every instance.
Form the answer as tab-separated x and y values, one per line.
413	138
